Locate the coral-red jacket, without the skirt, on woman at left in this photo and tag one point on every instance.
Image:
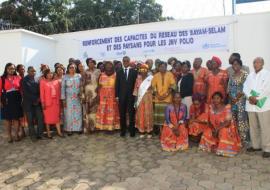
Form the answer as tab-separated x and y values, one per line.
46	92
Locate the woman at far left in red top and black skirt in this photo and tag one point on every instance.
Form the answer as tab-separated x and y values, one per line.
11	100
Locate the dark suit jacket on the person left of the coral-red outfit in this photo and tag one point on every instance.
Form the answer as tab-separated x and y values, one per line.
30	92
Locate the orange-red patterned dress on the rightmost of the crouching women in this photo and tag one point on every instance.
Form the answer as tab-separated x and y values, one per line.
227	142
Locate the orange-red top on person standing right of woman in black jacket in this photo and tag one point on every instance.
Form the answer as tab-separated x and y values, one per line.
199	86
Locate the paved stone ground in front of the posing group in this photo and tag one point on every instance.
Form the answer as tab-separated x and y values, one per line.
108	162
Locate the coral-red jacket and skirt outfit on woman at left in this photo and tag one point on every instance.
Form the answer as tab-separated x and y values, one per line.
50	97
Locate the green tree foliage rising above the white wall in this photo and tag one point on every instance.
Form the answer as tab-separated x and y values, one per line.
55	16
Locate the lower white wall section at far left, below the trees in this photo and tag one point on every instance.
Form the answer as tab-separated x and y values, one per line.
27	48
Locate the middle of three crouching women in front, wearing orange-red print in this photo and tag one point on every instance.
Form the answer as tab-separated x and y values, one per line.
198	117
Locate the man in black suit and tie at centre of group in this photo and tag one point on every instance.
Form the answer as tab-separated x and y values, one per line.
125	81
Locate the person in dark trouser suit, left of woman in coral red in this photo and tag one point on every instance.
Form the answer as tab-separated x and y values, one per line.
32	105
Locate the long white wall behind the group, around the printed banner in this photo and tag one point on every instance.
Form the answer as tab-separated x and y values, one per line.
249	36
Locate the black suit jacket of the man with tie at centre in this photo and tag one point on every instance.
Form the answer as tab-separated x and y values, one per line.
124	87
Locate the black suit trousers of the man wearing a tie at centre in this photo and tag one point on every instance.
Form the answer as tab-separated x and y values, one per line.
127	106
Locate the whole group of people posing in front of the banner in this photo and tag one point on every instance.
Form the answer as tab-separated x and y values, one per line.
222	110
